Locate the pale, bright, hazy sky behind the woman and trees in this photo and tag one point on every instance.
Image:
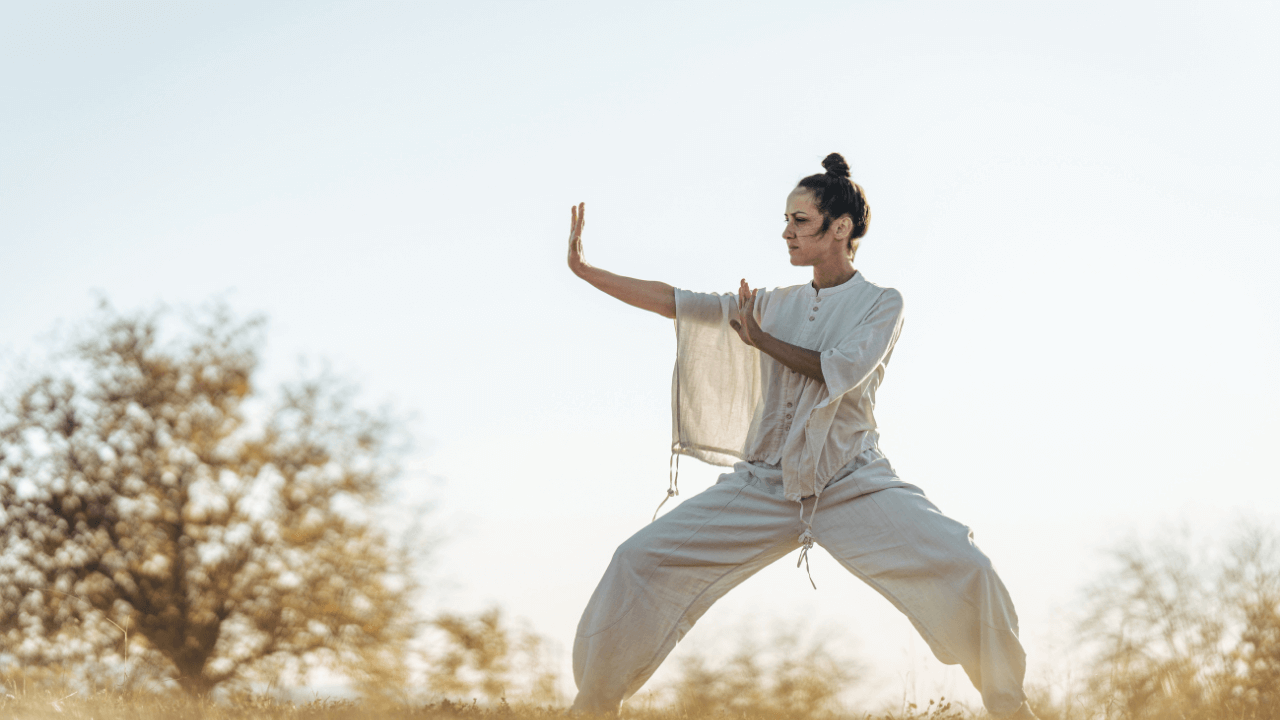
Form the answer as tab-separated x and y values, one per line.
1077	200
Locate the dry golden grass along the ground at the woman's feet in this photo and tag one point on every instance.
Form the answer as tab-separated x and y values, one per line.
692	698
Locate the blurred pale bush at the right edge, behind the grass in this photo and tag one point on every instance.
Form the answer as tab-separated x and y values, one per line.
1182	635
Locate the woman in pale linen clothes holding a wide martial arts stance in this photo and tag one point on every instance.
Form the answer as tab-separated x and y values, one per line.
781	386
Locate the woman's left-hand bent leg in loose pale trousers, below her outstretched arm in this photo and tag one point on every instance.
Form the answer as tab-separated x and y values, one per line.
665	577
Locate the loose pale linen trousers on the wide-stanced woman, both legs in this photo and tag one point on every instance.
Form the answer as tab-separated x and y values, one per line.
886	532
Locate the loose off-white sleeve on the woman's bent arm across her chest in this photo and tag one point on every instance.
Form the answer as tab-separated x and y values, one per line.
857	357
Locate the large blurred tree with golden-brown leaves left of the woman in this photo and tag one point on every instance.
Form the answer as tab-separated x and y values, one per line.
166	523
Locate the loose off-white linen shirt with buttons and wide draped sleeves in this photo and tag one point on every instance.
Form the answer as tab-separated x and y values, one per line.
732	403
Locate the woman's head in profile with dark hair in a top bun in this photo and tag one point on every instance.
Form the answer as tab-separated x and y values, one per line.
839	200
